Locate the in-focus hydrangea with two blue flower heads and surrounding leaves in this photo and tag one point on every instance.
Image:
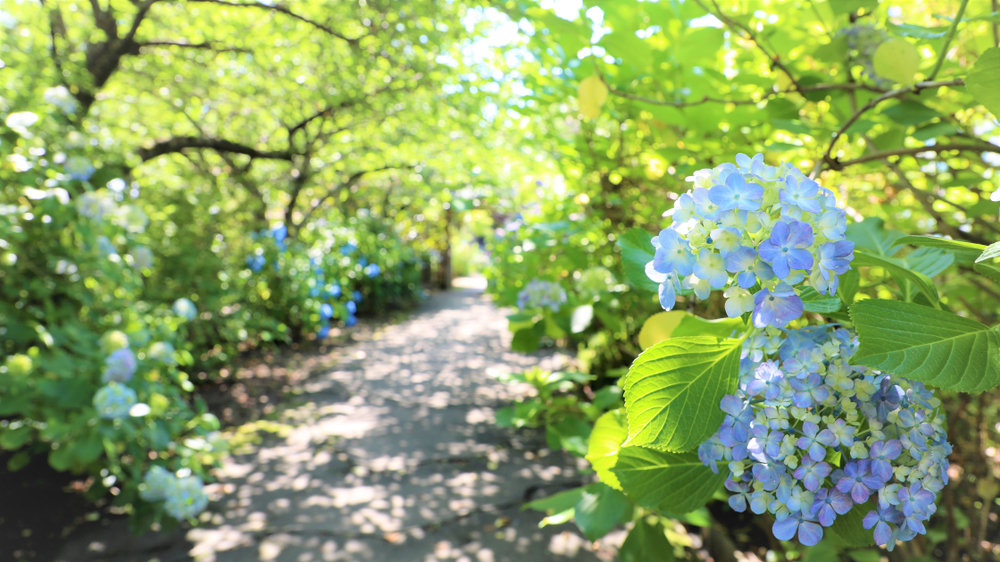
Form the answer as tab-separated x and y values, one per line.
825	425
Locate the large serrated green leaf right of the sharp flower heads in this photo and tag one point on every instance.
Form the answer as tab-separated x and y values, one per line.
931	346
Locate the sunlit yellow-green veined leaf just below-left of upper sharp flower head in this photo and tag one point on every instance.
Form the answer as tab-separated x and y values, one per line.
673	389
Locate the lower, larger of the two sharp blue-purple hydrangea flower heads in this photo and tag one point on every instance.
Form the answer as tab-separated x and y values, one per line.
809	437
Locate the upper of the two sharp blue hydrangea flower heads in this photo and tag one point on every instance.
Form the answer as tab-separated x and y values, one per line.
754	231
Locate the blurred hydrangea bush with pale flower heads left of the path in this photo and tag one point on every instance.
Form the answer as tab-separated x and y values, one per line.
89	369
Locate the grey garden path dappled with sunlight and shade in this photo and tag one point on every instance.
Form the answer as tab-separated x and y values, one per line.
391	455
